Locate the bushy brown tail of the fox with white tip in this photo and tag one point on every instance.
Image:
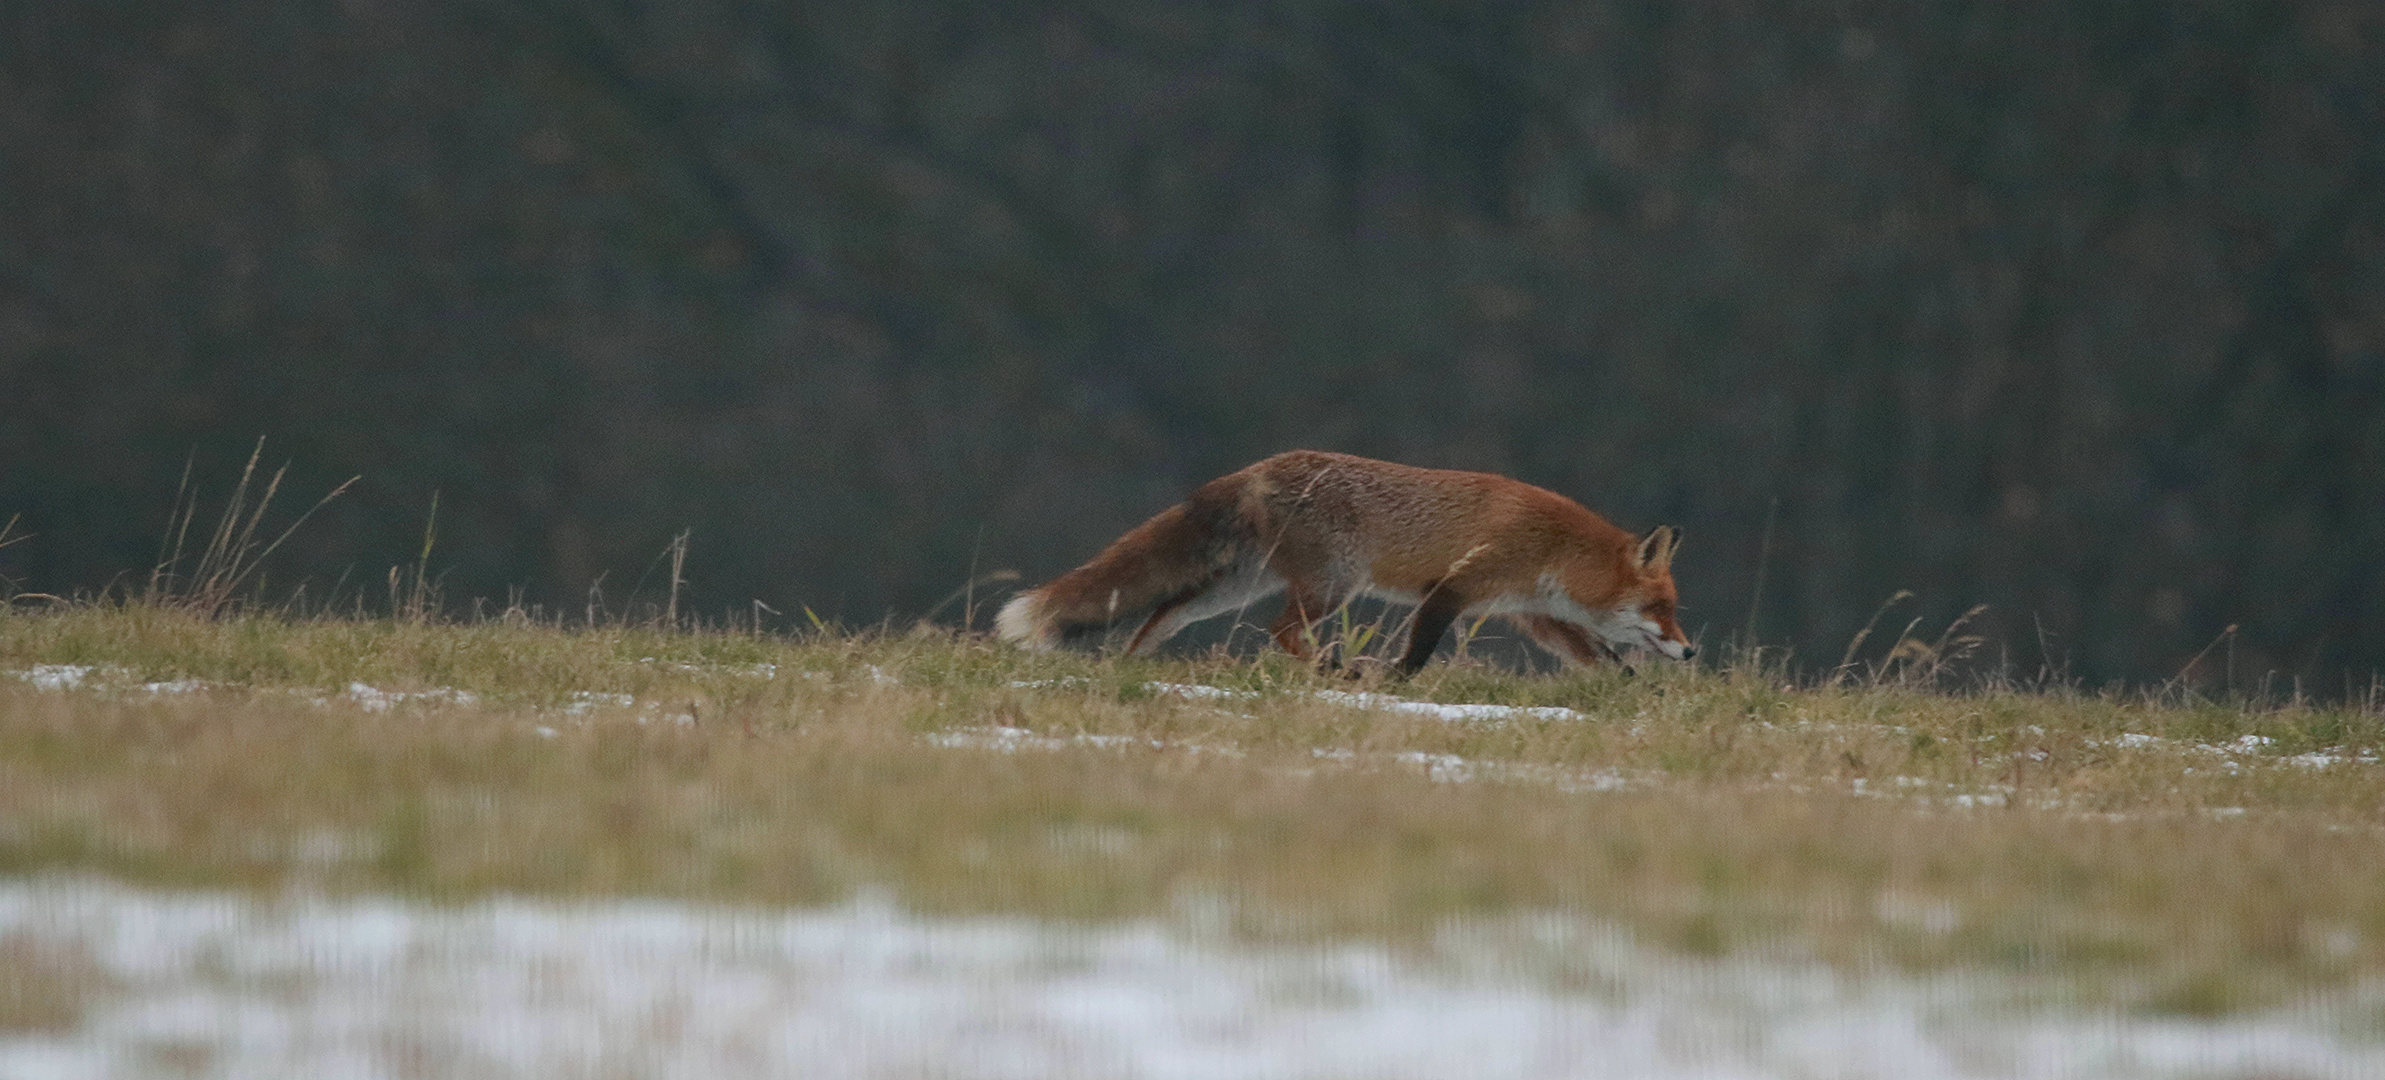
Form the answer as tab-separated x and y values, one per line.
1167	559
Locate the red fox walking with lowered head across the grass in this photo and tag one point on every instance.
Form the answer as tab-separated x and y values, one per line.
1327	528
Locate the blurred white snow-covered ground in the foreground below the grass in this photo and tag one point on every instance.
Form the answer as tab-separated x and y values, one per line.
185	983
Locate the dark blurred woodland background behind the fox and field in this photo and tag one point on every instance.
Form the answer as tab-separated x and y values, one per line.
2067	309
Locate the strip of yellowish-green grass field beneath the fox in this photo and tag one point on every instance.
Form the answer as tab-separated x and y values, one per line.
2157	852
